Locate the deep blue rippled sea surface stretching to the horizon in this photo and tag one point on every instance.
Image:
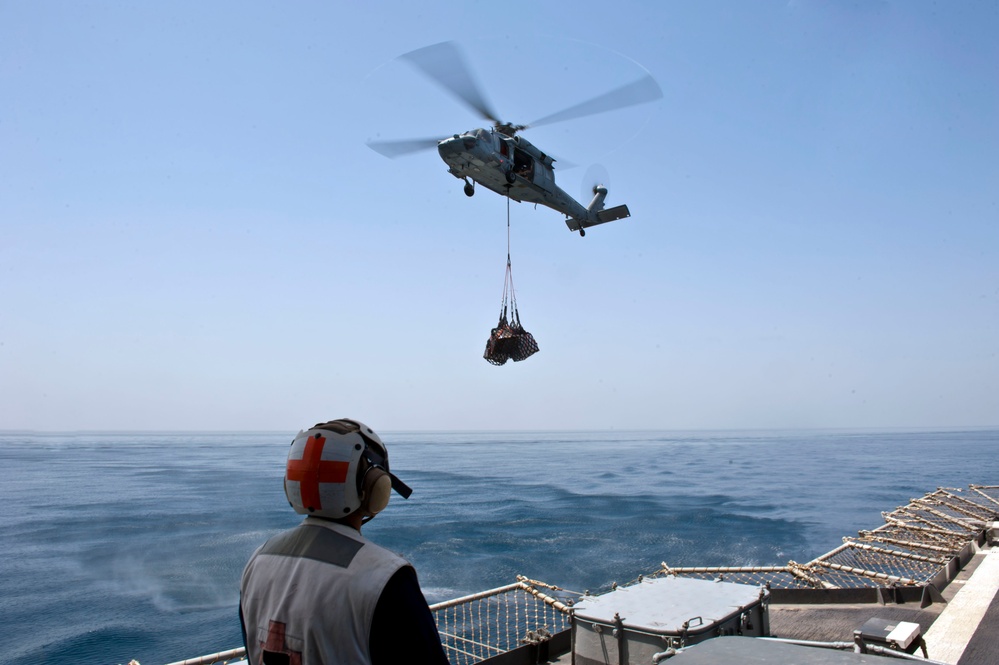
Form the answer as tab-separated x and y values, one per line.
130	545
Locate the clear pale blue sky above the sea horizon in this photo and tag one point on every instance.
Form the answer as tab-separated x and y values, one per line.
194	235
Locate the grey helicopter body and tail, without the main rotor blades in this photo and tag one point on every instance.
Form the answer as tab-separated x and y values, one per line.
512	166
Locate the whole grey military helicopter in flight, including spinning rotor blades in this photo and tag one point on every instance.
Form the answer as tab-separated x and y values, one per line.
497	157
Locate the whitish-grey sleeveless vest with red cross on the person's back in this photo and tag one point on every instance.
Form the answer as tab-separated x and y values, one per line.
311	593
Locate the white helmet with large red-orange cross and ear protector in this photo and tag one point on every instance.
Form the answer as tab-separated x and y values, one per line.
338	468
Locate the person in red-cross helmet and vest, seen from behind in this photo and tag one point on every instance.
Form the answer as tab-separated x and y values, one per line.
321	593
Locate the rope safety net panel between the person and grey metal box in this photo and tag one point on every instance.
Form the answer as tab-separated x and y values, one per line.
477	627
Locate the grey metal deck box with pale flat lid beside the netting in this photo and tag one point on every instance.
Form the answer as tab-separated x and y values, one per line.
632	624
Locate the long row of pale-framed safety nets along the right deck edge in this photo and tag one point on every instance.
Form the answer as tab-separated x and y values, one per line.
916	542
